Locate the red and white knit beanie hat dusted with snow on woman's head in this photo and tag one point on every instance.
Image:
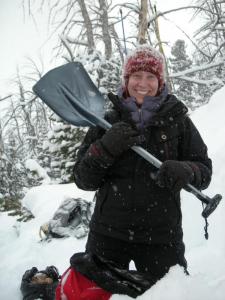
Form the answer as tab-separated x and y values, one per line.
144	58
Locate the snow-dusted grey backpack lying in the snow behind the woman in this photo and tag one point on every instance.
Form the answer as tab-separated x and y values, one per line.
71	219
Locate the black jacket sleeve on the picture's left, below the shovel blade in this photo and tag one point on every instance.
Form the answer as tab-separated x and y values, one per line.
93	162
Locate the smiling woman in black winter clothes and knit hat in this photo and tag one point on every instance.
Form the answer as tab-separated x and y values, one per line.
137	214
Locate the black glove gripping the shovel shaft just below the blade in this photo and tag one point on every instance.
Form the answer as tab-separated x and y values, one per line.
119	138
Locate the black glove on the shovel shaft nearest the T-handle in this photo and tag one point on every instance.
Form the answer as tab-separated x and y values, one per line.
174	175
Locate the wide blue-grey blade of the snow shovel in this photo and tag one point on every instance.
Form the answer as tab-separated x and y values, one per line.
74	77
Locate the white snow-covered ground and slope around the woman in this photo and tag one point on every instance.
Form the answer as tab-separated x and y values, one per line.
21	248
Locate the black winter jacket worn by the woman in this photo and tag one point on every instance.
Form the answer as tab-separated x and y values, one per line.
129	204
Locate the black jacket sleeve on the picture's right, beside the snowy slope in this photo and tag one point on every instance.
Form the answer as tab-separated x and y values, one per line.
194	151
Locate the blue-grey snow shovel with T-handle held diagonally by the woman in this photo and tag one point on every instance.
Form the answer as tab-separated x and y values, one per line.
71	94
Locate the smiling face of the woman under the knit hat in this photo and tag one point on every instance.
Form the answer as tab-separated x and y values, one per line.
141	84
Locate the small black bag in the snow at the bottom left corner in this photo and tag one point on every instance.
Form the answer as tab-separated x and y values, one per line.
40	284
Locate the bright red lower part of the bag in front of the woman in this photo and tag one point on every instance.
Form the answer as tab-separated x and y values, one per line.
75	286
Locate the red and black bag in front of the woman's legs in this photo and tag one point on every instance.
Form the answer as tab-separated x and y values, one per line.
94	278
